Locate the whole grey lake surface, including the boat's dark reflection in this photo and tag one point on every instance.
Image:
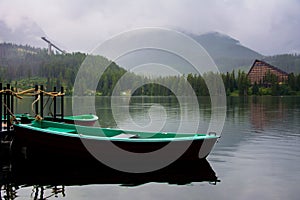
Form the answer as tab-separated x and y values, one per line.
257	157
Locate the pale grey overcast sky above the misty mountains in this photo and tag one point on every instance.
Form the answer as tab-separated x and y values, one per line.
267	26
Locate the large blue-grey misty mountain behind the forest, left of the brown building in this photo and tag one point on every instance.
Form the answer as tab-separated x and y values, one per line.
227	53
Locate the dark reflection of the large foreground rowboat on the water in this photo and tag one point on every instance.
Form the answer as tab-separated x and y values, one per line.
51	175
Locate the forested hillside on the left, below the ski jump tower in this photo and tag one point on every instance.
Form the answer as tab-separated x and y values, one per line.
25	66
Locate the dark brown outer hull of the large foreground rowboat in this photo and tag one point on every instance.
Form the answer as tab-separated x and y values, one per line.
33	143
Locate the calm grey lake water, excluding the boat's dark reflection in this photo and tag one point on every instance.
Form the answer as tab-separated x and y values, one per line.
257	157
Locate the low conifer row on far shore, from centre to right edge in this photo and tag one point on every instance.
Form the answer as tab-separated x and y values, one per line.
236	84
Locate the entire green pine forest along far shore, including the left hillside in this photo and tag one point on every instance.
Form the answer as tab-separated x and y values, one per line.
25	66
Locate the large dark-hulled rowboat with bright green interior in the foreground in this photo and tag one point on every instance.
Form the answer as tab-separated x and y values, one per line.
65	138
